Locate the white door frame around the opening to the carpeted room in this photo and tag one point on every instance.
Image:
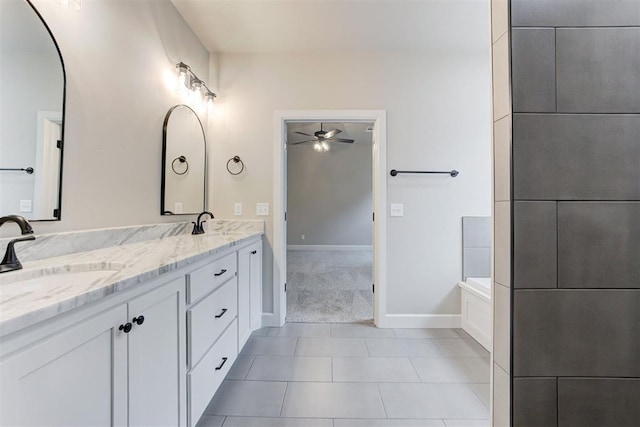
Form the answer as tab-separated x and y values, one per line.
379	157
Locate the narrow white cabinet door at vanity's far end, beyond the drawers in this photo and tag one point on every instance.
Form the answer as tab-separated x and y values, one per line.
249	291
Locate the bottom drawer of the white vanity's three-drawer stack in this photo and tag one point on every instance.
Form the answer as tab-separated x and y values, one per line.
204	380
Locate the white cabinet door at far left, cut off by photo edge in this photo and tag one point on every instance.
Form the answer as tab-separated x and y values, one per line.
77	377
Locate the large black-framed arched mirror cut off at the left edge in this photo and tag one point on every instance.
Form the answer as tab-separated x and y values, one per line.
32	93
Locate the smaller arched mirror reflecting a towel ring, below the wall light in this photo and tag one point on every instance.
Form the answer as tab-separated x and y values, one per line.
184	163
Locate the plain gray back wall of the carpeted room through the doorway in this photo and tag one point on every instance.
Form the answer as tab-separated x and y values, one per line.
329	195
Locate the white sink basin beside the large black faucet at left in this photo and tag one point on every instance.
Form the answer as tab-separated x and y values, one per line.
33	280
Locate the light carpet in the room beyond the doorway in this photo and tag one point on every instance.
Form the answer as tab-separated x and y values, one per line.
329	286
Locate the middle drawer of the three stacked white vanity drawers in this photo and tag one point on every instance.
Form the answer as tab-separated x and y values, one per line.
207	319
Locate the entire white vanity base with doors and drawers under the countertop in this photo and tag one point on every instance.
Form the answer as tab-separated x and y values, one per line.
151	355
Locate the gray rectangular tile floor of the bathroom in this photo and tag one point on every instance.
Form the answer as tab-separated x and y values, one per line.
354	375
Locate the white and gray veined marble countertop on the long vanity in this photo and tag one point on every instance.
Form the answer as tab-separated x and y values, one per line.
37	297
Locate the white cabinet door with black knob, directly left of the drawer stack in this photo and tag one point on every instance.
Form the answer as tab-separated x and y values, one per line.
157	365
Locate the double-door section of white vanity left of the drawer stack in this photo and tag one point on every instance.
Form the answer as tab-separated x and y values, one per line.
92	372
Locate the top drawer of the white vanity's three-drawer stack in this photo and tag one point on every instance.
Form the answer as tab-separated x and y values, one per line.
205	279
